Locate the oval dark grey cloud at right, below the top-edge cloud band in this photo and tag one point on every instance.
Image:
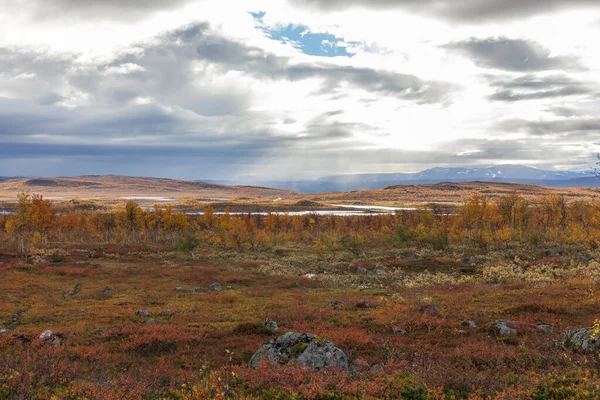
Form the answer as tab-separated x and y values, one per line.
512	55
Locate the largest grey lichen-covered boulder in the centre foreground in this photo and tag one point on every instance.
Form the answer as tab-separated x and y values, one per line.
307	350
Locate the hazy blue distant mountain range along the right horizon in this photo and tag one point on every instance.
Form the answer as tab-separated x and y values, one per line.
501	173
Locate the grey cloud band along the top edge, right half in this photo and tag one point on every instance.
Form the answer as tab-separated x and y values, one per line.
472	11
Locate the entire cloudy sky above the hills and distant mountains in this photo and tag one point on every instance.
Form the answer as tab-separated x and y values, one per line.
296	89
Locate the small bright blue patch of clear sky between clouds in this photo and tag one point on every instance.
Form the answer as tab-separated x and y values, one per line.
300	36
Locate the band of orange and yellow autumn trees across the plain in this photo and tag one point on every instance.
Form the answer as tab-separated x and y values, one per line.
480	222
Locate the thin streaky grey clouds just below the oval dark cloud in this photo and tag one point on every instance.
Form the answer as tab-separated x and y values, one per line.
535	87
